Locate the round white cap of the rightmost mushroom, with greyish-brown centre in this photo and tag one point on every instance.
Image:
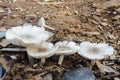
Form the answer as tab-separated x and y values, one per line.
95	51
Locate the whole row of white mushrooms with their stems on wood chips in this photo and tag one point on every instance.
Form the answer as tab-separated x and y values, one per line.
35	38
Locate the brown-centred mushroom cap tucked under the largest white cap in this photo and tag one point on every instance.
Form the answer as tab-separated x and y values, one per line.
45	50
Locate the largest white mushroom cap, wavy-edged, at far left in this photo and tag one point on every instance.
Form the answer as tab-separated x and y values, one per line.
27	35
